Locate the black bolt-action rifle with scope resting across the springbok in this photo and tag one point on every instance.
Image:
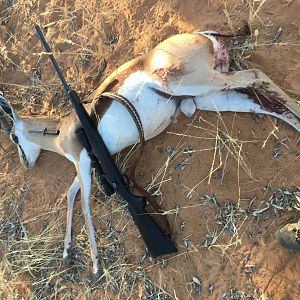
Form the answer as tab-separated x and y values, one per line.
156	241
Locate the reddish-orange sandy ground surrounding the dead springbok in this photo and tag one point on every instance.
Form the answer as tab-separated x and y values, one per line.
246	265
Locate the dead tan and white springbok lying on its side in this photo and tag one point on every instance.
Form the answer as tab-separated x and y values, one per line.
181	74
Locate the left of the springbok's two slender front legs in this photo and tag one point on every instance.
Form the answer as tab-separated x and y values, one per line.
71	195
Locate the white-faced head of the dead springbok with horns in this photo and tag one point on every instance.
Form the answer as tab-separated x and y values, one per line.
14	126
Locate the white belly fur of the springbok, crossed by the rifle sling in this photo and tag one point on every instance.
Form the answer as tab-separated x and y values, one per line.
117	127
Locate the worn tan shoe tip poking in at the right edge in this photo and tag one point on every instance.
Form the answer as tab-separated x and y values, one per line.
288	236
